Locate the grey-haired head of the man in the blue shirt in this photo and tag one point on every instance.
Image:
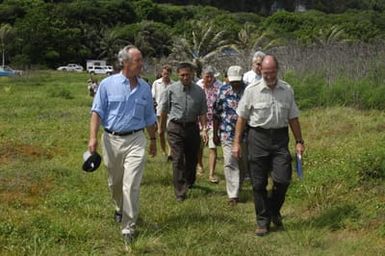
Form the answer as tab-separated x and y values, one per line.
131	60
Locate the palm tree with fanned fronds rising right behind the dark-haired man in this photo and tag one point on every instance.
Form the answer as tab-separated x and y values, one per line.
205	42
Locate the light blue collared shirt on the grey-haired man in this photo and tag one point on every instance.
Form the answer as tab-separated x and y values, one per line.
122	109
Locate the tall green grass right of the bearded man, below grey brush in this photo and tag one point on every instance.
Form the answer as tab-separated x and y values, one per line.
365	93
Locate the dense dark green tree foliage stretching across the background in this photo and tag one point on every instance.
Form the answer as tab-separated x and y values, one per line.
50	33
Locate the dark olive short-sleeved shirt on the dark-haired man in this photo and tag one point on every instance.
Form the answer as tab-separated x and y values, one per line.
184	103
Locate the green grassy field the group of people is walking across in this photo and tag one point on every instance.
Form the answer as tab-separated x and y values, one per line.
48	206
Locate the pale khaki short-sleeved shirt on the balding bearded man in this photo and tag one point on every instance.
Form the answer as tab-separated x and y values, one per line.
267	108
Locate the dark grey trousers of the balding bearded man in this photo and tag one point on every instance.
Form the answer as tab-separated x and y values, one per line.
268	152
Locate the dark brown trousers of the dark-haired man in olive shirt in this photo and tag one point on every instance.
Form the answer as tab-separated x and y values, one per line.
184	141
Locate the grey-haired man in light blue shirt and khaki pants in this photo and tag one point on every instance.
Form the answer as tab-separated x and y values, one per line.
123	106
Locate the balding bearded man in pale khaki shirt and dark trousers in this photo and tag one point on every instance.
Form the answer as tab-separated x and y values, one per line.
268	106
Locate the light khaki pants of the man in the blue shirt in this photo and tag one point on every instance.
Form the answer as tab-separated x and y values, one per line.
124	158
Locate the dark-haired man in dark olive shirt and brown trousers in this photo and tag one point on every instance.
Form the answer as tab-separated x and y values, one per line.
184	103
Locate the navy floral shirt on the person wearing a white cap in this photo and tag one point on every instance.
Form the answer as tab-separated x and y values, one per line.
225	111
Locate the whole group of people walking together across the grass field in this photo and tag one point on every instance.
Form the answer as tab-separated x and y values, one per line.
248	116
